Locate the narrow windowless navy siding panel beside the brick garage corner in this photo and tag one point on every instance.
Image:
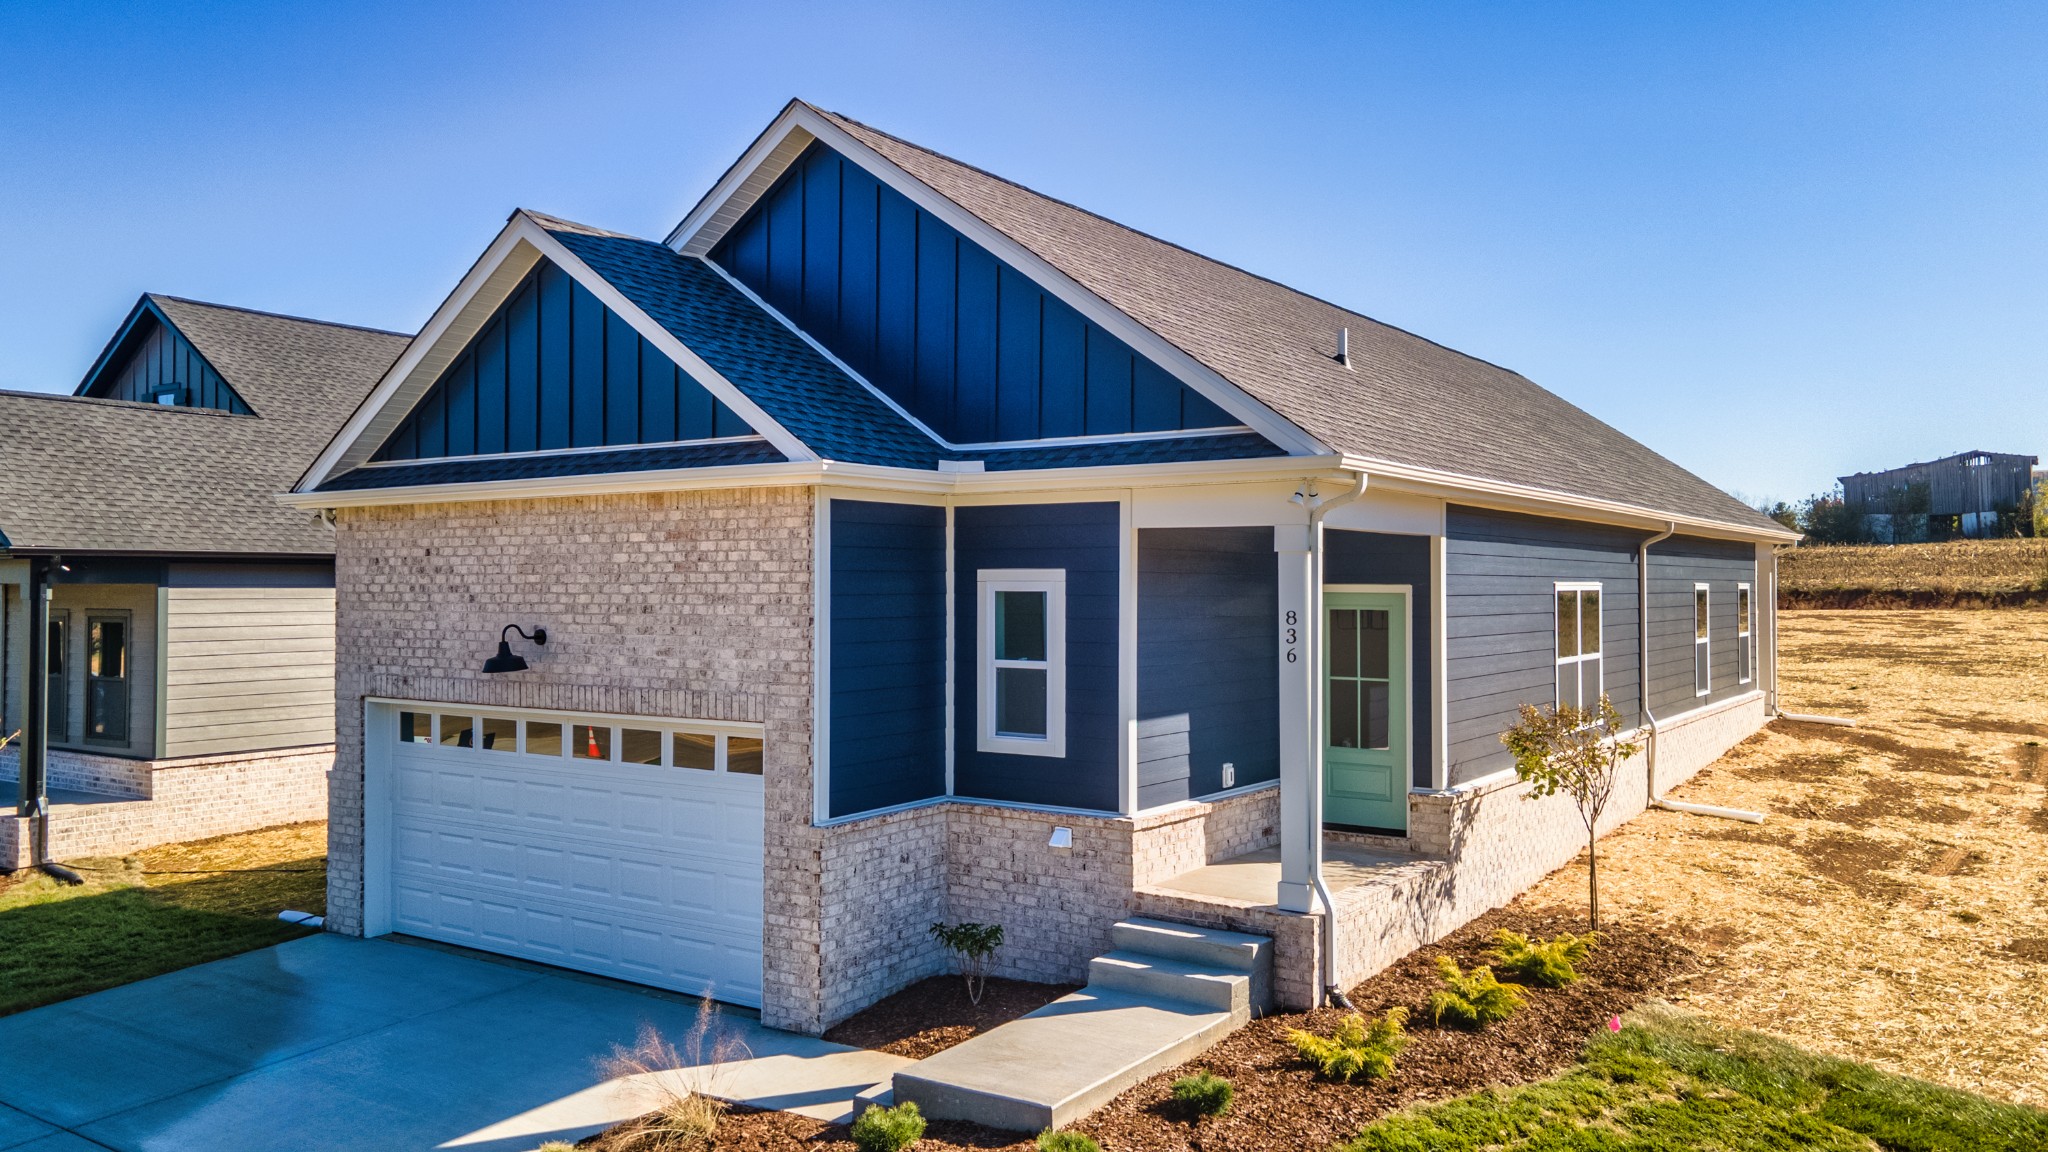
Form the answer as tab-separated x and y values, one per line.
888	739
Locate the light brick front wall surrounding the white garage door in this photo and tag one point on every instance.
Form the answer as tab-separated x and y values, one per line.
687	606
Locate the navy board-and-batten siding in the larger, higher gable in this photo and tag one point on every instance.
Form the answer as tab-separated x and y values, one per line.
945	329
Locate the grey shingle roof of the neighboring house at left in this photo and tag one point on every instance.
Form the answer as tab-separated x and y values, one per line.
85	475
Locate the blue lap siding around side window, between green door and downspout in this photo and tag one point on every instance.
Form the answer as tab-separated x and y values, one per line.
1500	575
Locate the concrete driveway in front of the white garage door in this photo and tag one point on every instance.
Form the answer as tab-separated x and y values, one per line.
333	1042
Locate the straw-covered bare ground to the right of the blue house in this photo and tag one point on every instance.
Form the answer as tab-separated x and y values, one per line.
1895	905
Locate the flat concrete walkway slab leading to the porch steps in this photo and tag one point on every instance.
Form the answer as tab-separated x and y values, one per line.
1064	1061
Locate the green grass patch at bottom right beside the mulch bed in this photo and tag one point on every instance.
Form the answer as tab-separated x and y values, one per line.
1672	1083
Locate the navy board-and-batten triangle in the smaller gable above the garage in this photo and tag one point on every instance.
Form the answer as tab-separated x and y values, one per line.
558	370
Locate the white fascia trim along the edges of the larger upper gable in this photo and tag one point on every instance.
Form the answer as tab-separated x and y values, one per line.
773	155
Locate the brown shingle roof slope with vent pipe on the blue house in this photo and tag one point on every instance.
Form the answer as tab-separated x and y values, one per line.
1406	401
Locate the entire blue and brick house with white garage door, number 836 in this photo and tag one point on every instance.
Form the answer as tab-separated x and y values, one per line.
919	548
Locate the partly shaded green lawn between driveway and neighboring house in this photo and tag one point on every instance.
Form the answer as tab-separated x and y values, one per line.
157	911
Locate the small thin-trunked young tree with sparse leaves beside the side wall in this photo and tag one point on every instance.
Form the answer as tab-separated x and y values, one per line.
1576	753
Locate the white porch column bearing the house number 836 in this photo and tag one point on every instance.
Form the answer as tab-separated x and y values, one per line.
1302	794
